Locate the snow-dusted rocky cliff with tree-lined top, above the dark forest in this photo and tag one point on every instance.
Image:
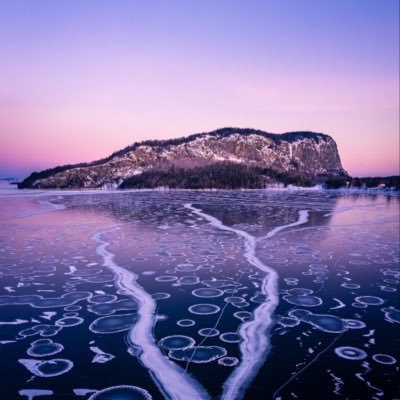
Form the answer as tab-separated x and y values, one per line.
307	153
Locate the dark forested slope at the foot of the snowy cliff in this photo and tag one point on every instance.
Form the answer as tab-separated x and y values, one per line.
223	175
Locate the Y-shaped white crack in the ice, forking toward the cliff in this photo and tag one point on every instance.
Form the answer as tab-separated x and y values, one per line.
255	344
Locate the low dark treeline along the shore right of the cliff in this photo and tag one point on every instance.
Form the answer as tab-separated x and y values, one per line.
389	182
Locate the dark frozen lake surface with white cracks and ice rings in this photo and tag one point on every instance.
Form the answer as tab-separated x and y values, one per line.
196	295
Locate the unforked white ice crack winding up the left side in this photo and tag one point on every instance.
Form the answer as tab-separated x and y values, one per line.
168	376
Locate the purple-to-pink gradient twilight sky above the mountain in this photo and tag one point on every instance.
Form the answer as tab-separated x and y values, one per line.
80	79
